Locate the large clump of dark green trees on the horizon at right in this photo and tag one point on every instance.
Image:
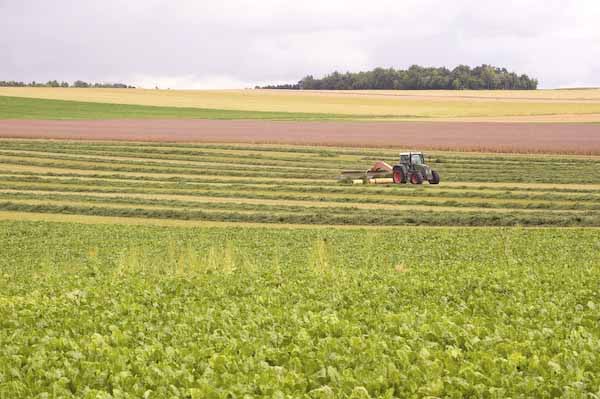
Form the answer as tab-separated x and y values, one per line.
484	77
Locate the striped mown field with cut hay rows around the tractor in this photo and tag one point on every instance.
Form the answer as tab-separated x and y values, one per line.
291	185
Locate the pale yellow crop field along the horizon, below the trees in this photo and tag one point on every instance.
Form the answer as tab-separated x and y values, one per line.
540	105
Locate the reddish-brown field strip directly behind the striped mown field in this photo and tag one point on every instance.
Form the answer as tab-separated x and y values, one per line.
484	136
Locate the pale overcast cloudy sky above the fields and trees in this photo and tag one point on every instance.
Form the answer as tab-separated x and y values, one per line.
185	44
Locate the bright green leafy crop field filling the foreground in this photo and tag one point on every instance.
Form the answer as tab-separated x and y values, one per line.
98	311
